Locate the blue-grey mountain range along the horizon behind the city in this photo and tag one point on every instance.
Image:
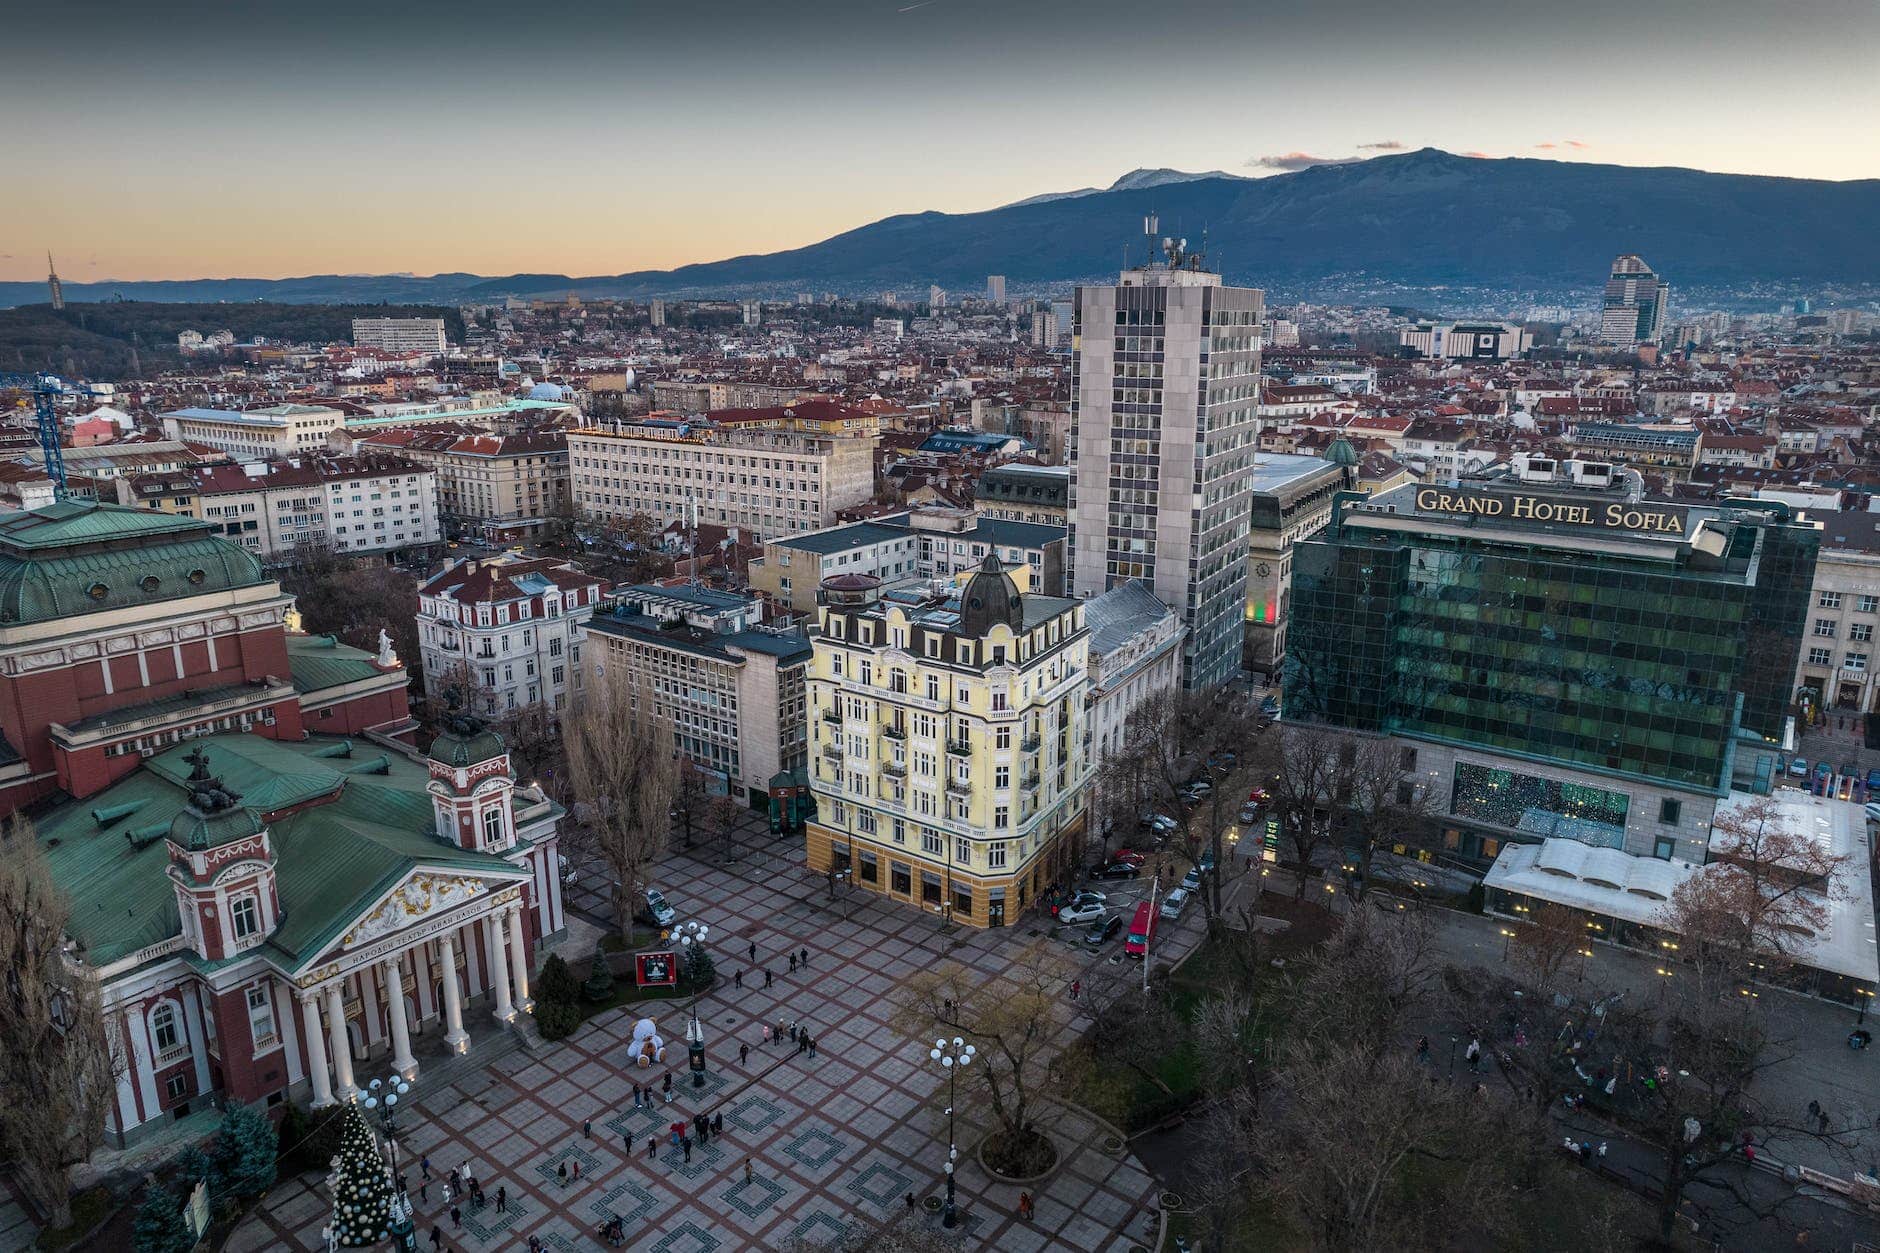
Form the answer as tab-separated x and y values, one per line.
1413	221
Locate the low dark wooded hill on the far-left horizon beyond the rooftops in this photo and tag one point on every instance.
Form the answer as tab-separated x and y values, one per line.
95	341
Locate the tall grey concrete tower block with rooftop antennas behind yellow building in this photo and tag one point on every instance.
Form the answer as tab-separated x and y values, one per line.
1163	449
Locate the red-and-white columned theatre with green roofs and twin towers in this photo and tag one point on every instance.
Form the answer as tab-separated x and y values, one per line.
268	881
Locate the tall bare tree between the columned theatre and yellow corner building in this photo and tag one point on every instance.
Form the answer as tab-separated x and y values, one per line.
623	778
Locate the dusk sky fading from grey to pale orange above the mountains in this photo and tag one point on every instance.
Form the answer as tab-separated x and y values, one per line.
215	140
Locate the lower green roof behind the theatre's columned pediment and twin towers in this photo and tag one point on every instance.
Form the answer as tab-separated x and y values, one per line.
334	859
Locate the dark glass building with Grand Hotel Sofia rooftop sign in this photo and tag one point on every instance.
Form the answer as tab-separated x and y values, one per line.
1556	656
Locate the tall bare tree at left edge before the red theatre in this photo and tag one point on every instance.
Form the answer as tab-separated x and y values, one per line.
55	1056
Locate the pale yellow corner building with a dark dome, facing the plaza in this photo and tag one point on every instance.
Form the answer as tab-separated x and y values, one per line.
948	740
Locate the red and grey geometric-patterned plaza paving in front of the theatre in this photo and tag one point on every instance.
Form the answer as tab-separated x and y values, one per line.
834	1143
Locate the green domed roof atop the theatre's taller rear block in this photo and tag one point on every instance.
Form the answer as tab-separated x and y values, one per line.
82	558
